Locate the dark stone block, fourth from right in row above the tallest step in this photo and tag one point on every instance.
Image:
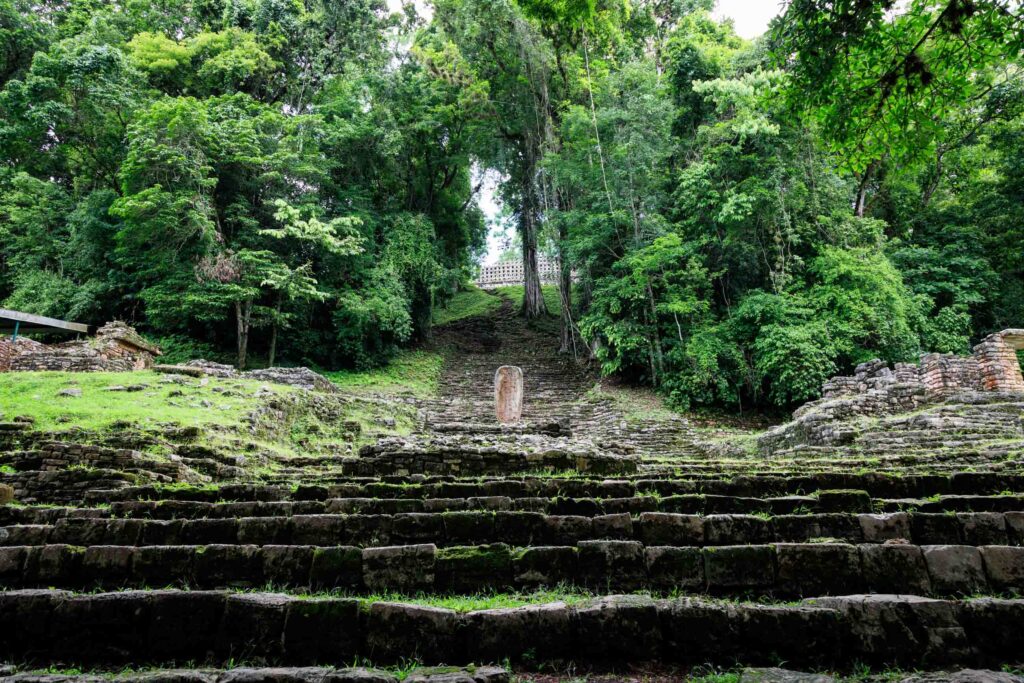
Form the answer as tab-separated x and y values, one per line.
819	569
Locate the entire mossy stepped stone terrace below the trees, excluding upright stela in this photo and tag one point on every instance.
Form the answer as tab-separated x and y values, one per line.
585	539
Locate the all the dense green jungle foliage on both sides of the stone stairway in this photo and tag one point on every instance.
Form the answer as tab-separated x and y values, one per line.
744	220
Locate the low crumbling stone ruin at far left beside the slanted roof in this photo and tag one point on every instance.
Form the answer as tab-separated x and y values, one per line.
116	348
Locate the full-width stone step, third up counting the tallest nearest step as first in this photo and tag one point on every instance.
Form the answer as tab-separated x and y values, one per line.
527	529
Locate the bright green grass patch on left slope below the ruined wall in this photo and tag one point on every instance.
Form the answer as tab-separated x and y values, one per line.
35	395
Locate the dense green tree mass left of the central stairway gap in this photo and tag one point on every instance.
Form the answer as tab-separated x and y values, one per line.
267	170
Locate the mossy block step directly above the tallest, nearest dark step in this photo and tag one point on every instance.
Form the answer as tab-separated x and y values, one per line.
780	571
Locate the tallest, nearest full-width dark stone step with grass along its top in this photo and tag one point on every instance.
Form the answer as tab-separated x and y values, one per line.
154	627
